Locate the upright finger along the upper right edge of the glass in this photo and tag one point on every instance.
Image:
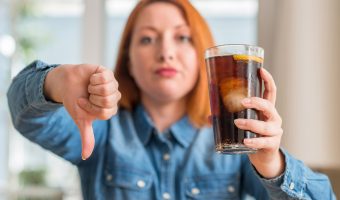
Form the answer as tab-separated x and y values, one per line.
269	86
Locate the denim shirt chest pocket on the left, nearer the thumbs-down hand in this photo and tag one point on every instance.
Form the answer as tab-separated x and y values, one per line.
128	183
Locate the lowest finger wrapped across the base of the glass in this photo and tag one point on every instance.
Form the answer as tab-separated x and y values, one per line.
262	142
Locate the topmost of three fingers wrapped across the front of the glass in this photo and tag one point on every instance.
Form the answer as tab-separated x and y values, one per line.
263	105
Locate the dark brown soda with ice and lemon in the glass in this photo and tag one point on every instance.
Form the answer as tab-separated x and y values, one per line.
231	79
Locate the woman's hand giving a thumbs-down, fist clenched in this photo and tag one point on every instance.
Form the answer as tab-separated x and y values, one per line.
88	92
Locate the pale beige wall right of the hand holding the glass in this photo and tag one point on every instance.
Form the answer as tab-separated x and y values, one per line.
301	40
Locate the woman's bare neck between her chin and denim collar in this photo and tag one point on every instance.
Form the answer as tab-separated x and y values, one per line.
164	115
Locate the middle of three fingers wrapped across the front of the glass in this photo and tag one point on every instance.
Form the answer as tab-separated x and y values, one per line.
259	127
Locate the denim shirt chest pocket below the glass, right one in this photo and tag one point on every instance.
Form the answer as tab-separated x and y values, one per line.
216	186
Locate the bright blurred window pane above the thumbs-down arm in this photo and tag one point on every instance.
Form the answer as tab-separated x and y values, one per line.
47	29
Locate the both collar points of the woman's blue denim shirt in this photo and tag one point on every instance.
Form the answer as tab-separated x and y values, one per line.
183	131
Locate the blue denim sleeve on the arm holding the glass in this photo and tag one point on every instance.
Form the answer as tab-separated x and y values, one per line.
298	182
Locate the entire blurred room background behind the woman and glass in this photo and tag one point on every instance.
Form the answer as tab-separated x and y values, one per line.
300	38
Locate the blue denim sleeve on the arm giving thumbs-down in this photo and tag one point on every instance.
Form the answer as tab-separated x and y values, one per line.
41	121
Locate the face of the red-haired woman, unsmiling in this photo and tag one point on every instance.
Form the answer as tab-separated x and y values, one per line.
163	60
